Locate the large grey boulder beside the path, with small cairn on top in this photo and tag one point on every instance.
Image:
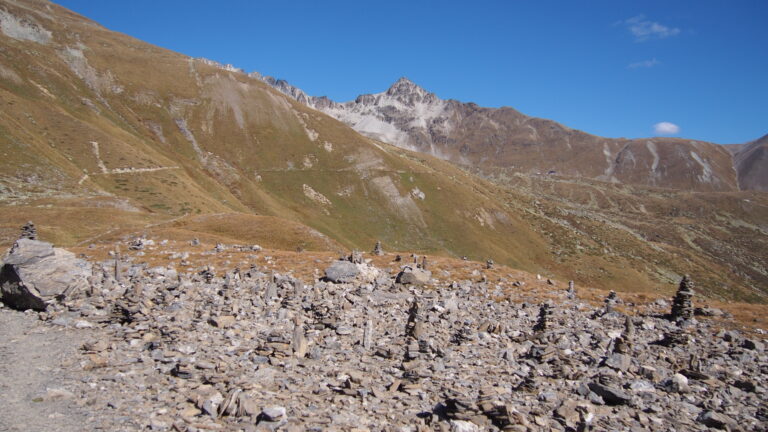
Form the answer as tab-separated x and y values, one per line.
34	273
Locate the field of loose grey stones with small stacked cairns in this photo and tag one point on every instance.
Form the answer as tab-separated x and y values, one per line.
364	349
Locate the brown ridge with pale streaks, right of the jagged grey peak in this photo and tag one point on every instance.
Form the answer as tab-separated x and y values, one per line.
499	138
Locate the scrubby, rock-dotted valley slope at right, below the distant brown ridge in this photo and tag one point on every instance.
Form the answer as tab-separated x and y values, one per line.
633	233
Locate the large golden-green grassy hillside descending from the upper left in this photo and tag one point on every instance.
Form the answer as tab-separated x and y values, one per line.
90	113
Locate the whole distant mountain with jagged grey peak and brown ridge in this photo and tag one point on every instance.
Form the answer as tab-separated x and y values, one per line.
408	116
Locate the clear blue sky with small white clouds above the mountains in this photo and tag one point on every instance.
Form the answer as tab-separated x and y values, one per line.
695	69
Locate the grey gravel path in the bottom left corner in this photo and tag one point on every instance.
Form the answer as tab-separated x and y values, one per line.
40	379
